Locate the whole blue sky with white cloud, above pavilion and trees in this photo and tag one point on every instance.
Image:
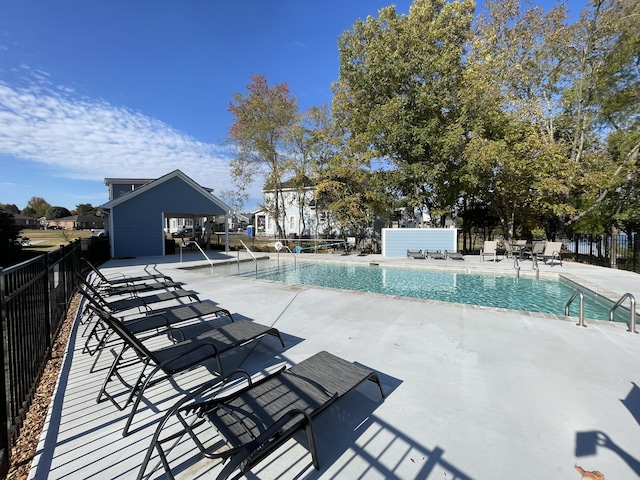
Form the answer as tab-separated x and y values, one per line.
136	89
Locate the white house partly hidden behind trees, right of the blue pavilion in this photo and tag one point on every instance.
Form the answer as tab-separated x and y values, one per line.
307	221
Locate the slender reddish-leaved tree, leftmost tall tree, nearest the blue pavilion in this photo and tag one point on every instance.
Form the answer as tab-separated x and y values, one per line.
263	118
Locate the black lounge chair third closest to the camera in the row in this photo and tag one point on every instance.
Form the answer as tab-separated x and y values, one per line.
158	321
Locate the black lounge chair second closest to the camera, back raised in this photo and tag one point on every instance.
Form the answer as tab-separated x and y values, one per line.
172	359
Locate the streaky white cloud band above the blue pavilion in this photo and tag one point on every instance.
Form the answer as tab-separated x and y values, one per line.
85	138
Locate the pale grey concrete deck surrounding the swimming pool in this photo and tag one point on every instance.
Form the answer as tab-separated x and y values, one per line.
471	392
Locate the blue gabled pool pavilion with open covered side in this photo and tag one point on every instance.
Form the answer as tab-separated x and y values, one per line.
136	220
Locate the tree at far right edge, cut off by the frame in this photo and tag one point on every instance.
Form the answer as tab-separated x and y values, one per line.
604	100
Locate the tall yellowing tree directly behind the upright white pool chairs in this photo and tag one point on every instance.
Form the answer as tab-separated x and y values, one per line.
513	161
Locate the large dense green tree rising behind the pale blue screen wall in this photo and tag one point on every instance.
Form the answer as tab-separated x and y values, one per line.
397	96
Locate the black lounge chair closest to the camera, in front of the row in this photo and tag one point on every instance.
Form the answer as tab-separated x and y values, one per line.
261	416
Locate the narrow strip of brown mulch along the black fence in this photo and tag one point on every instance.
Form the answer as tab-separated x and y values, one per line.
25	448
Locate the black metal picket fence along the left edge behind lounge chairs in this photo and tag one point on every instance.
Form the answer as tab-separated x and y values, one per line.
34	296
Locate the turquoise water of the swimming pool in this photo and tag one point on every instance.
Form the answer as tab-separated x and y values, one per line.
489	290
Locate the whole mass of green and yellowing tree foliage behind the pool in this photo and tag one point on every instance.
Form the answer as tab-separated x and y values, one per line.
517	115
